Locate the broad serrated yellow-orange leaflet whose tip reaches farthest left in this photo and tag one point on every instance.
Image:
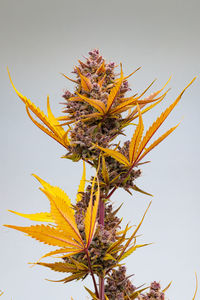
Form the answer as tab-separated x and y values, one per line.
47	235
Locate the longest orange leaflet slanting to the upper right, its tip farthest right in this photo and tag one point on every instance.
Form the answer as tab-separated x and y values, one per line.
154	127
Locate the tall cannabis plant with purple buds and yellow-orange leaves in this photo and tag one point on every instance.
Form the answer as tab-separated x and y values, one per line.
87	233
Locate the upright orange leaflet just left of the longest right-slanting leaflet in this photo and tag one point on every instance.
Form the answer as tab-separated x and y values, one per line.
137	136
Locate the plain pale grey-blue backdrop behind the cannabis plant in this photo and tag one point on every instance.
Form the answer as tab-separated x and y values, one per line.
41	38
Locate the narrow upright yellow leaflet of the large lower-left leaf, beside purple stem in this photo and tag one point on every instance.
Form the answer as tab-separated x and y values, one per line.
91	214
